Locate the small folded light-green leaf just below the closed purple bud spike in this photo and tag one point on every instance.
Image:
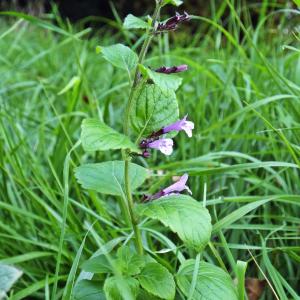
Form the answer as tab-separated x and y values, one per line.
164	81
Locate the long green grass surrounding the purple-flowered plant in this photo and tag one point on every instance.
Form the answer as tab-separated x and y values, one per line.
242	91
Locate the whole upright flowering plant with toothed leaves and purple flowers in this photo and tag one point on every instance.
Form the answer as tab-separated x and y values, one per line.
151	114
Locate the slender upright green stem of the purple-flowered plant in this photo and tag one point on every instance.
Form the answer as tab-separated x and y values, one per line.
126	156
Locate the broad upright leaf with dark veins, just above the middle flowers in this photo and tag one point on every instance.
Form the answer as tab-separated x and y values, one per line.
153	109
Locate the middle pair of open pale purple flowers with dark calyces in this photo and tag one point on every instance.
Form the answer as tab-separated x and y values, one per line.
165	145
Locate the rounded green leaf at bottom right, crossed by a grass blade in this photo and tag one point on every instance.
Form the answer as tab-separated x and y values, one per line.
212	282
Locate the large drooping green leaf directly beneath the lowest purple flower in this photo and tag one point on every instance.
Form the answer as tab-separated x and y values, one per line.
184	215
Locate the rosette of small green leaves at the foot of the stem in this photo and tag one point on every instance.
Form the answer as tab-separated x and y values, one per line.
135	271
